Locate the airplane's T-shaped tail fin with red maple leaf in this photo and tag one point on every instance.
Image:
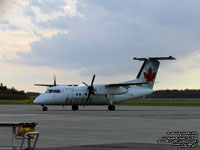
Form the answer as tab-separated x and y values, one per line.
149	70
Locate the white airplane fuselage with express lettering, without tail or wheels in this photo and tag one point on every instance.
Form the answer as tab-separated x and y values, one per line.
78	95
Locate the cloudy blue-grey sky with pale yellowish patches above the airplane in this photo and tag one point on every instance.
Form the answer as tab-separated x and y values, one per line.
76	38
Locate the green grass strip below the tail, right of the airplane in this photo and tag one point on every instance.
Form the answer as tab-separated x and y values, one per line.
161	102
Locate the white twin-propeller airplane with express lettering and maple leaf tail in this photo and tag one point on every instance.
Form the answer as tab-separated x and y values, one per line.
103	94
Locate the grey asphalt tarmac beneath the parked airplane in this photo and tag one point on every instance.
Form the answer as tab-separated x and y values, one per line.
95	128
